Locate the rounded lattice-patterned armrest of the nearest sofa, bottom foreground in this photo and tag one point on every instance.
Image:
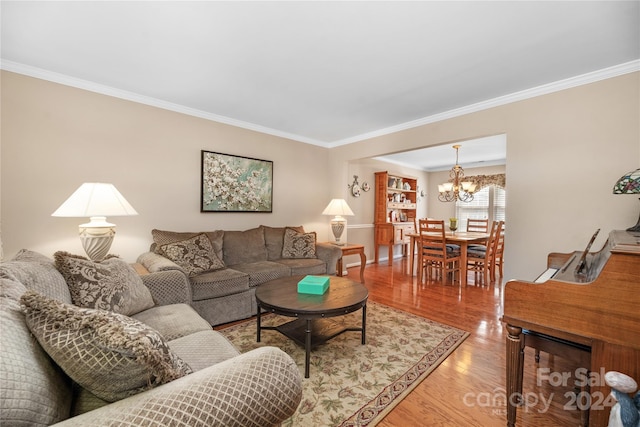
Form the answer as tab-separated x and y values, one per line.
262	387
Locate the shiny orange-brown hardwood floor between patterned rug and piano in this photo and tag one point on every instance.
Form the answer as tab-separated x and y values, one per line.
468	389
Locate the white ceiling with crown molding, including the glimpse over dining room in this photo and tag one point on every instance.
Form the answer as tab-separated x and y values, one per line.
325	73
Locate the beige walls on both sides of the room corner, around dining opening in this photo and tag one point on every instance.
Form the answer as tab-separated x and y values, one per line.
564	152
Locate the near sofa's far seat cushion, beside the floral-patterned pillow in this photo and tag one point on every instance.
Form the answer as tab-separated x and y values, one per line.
173	321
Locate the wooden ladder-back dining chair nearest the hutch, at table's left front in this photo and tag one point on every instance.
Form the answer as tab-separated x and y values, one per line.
434	253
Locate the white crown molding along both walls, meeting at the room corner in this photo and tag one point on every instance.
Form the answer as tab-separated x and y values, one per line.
583	79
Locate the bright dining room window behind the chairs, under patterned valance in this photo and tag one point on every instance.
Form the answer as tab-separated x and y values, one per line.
487	203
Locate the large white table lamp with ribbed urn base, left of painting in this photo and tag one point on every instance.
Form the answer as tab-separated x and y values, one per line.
96	201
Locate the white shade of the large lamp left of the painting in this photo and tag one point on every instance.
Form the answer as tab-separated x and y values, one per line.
95	199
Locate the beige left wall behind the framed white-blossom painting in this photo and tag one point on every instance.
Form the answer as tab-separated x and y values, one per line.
56	137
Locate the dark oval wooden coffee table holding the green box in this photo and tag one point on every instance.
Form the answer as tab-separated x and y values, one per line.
312	325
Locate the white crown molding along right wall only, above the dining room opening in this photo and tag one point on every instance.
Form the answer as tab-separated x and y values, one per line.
606	73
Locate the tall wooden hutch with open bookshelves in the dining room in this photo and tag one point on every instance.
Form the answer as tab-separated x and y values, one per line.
395	211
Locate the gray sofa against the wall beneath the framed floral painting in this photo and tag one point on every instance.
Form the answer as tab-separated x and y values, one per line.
226	292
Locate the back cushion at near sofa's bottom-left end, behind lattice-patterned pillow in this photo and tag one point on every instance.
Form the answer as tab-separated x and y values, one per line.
33	390
